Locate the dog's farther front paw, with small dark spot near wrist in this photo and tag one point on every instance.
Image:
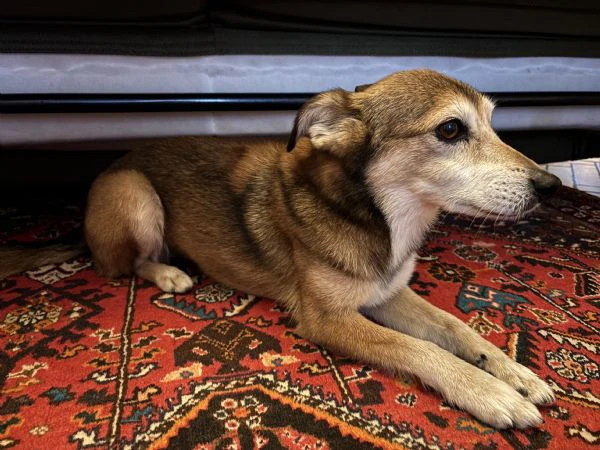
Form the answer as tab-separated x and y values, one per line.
523	380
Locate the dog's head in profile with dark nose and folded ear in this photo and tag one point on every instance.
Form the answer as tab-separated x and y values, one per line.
423	134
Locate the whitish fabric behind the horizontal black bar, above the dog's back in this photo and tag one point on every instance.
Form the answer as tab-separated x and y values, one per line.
35	73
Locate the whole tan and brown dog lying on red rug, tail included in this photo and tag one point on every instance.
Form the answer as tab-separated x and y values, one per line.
329	226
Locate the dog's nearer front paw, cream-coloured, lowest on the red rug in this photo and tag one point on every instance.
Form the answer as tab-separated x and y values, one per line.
494	402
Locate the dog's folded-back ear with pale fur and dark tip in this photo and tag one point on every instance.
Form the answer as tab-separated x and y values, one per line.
330	121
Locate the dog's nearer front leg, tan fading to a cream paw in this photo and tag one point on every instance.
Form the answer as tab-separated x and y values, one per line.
349	333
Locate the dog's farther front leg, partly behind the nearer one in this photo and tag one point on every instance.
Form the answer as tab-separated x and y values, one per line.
411	314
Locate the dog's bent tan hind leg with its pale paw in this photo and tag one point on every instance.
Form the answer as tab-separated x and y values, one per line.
124	228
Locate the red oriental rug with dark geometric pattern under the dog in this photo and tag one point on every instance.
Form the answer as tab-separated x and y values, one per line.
93	363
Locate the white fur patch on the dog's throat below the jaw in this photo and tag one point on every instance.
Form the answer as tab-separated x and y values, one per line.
409	219
